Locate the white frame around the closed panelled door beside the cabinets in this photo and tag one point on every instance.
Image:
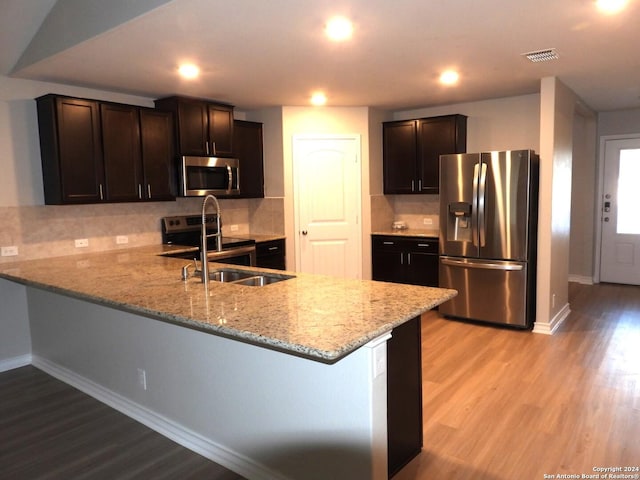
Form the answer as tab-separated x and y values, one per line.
296	189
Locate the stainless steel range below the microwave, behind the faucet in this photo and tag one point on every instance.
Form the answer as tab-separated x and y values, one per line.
186	230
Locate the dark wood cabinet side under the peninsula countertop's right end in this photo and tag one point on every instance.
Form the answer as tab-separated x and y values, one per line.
404	395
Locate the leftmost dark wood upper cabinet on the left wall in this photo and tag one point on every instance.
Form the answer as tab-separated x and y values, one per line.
71	150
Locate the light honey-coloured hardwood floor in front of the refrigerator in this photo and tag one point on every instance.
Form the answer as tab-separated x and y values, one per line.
504	405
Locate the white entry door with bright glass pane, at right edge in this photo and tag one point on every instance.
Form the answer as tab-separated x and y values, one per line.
620	251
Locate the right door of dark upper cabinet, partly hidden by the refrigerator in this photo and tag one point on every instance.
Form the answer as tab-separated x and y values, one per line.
438	136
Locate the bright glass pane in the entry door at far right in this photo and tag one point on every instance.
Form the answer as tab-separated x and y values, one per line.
628	192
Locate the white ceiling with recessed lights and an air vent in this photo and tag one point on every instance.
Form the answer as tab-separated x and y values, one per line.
261	53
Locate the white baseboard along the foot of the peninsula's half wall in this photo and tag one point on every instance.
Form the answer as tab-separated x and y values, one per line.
163	425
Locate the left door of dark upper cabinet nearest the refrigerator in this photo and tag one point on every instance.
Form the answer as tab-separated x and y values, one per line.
399	156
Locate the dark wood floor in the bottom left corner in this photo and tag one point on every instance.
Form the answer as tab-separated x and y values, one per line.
50	431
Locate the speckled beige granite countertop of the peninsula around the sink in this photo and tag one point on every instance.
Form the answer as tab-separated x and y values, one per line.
318	317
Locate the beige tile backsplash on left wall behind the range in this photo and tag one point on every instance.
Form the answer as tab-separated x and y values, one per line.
51	230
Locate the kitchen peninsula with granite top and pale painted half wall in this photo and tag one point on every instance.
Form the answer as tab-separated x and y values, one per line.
310	404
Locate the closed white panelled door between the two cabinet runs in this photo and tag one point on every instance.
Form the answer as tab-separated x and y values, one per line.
327	185
